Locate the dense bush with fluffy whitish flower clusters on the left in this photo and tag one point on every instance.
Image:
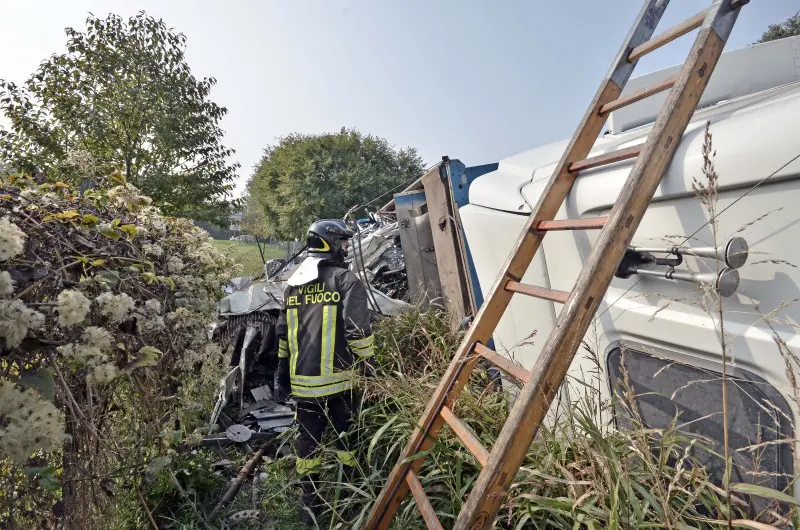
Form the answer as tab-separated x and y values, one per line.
105	362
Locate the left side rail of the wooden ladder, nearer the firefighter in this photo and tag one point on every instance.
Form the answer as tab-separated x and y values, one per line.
497	299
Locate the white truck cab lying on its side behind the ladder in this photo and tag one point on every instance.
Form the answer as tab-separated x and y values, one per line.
665	330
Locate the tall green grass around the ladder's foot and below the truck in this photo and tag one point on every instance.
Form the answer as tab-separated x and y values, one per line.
579	473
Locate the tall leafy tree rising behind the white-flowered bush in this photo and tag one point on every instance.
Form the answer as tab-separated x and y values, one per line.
123	97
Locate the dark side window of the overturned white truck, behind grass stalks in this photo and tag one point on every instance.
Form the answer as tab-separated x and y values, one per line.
758	414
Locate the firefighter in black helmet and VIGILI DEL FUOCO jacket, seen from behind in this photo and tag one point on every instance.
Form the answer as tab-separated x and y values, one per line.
324	342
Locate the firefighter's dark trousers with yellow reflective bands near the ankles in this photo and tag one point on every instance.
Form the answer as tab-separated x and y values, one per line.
313	417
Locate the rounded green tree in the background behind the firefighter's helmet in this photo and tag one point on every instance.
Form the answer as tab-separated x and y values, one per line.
308	177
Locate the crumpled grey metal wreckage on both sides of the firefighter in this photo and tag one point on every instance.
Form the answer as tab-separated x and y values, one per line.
246	328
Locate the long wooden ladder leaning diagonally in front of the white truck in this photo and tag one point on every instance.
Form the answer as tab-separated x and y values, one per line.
501	464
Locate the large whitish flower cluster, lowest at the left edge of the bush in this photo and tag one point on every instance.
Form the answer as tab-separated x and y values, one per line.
28	423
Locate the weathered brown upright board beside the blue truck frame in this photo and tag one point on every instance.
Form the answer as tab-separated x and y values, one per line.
452	276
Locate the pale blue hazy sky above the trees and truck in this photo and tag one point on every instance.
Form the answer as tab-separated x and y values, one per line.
475	80
